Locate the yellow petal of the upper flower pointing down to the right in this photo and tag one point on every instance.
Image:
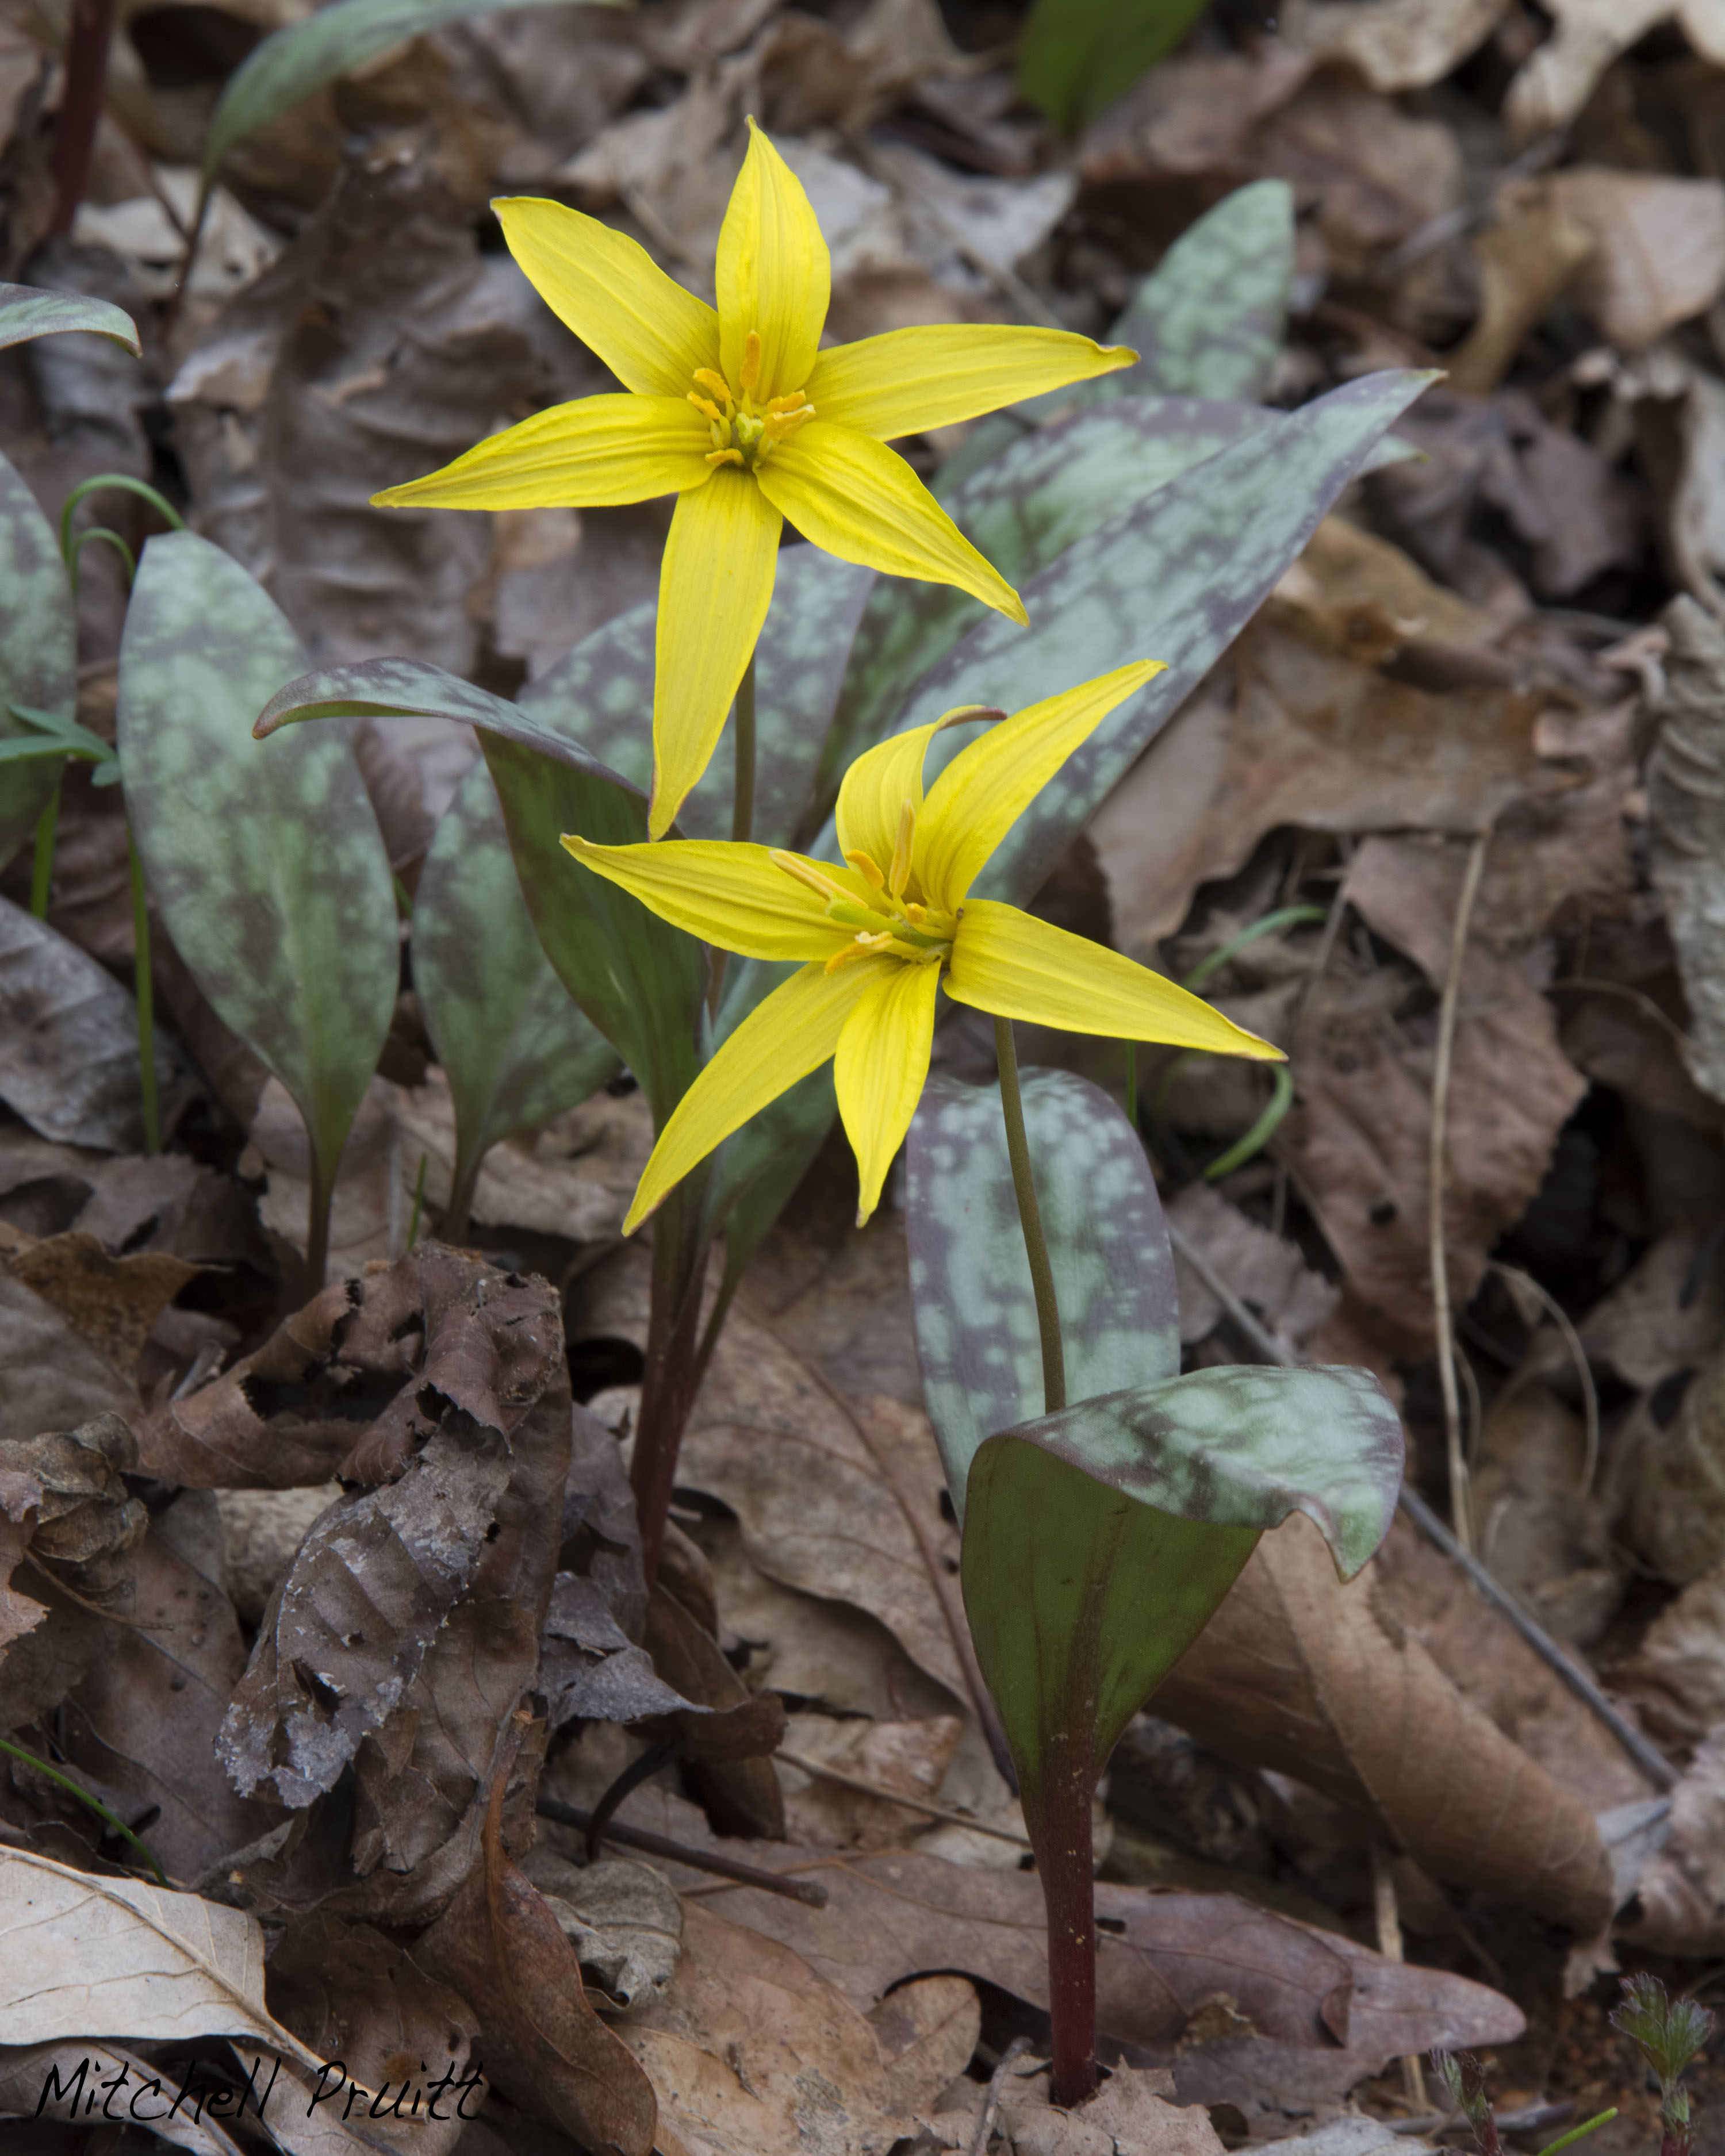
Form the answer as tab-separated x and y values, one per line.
861	501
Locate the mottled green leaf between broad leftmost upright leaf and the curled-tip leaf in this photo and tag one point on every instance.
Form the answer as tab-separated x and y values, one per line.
512	1042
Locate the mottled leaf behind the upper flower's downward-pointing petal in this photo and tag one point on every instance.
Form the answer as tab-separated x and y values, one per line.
605	695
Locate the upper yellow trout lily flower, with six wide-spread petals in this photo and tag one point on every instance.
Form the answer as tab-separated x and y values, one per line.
747	421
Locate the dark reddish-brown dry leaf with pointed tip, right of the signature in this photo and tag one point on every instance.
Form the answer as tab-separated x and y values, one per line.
544	2045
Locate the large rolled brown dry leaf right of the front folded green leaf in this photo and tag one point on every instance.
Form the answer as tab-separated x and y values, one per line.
1323	1683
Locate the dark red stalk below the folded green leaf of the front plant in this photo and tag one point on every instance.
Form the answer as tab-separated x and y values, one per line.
1058	1816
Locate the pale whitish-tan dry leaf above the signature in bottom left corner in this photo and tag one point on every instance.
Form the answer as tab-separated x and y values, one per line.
85	1957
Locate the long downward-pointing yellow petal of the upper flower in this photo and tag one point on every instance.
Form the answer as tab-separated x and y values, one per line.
715	592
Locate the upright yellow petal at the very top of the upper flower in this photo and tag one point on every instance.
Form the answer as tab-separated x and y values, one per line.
773	275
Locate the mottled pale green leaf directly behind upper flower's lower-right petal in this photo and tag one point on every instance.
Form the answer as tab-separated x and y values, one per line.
1023	510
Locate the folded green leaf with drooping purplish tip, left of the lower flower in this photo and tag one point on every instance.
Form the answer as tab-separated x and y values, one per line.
635	978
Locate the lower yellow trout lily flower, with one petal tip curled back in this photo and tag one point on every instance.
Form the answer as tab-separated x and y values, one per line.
883	932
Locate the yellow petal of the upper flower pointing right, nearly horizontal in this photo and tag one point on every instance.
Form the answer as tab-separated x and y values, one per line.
939	374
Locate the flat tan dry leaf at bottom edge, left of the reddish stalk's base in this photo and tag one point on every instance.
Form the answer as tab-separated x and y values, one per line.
754	2054
